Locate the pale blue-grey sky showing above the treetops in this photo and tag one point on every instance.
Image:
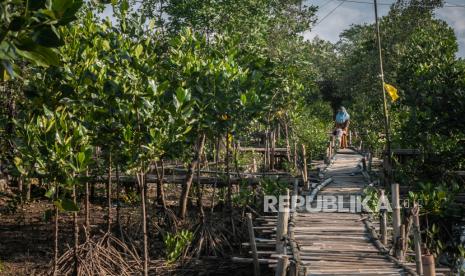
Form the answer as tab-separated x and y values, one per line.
340	18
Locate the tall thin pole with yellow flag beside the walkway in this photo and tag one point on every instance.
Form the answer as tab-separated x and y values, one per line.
385	109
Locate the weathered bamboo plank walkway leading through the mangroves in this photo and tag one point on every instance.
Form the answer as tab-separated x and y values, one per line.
339	243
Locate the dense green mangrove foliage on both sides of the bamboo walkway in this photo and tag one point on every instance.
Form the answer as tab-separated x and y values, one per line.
187	81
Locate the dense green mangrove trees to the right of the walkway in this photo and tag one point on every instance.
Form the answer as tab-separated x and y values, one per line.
419	54
